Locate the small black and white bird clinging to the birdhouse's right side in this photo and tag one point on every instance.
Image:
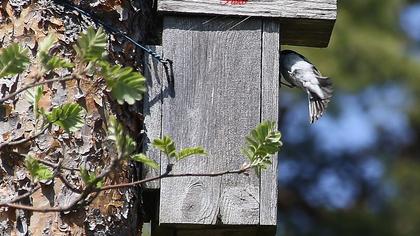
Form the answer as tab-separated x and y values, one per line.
299	72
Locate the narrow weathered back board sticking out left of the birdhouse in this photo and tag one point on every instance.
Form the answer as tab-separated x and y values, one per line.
152	110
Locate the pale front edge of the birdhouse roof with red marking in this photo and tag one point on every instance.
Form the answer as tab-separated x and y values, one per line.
320	9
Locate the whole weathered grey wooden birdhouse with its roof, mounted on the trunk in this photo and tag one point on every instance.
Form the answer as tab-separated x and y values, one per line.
224	80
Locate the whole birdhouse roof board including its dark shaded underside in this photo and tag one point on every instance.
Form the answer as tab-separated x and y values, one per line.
304	23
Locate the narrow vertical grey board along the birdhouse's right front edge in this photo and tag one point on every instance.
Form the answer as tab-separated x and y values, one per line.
269	111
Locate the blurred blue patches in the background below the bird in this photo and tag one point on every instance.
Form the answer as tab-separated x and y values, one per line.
354	125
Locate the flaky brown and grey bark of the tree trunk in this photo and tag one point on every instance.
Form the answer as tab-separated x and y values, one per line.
114	212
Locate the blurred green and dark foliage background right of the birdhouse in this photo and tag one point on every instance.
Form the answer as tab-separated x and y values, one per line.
368	47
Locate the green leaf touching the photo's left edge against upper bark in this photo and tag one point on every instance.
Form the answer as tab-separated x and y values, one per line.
13	60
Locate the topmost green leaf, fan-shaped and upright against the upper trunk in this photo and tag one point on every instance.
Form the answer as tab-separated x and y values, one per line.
91	46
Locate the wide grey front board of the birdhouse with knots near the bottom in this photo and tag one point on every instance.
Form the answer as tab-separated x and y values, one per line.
214	103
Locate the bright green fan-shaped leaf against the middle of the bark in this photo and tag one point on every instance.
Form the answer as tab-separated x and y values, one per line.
69	116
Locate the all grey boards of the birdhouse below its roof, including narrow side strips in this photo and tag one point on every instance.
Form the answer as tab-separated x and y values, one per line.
225	82
